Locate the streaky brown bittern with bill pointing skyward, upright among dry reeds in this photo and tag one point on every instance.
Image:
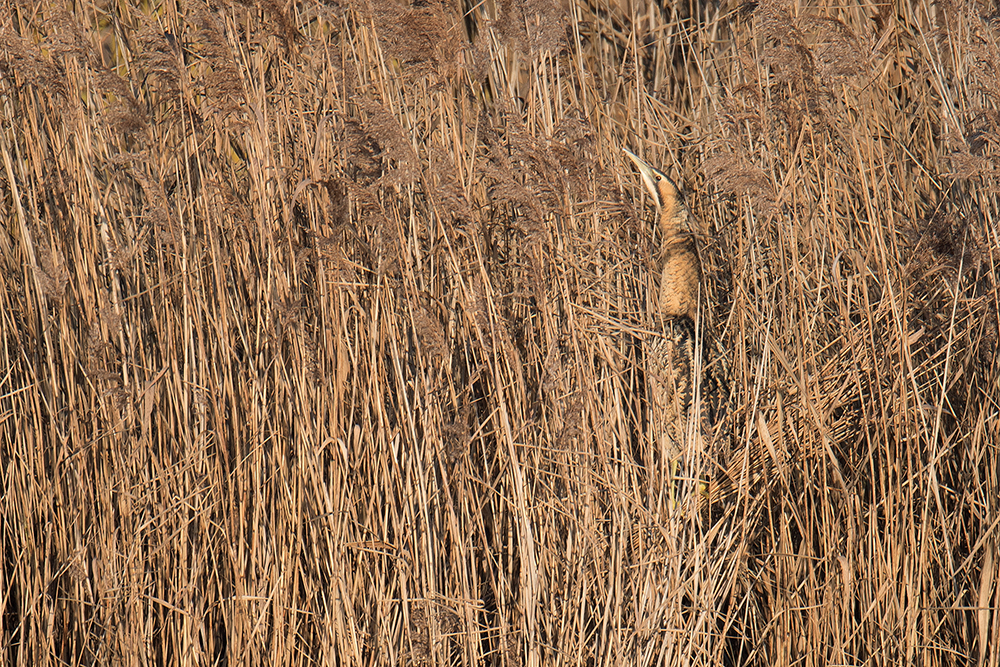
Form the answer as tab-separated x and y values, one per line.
669	355
